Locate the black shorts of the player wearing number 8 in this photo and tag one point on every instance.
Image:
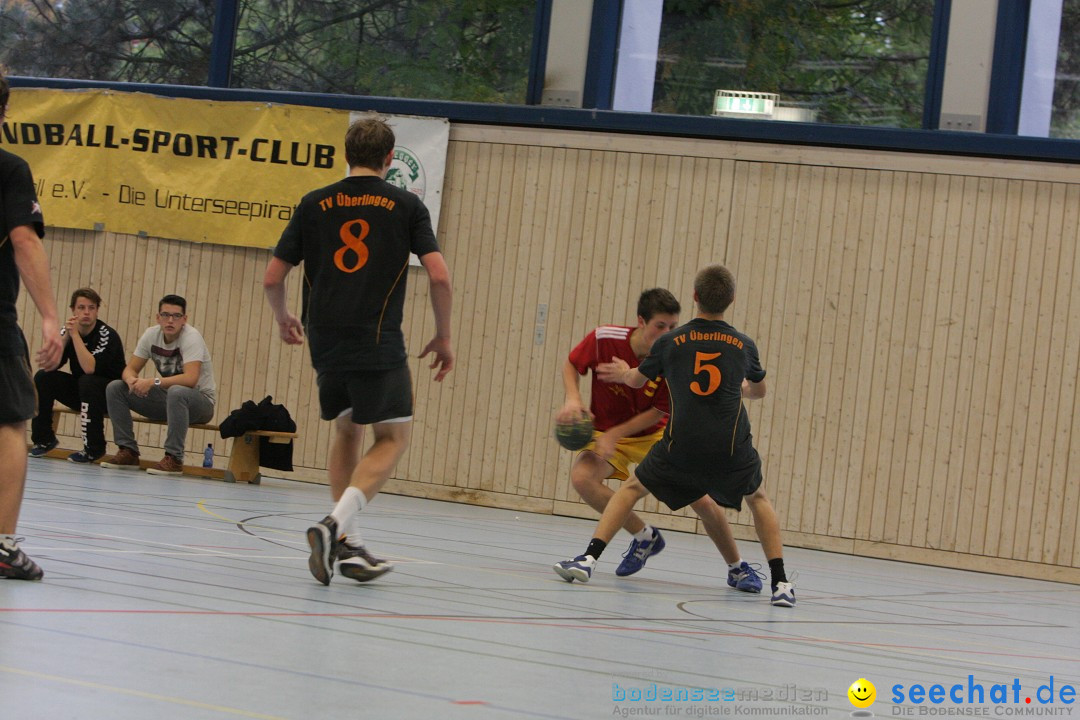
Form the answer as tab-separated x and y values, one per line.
372	397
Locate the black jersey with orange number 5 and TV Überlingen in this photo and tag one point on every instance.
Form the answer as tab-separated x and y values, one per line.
705	363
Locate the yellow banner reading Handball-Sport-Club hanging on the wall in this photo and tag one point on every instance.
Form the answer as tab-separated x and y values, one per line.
228	173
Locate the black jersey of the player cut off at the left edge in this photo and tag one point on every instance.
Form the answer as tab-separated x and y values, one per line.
19	206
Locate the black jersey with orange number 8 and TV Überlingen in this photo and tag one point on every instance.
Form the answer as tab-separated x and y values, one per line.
355	239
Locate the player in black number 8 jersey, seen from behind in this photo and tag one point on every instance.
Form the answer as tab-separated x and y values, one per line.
355	238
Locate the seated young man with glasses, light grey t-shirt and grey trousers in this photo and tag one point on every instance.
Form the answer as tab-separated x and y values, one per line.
182	395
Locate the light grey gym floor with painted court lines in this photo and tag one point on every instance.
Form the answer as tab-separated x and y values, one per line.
186	599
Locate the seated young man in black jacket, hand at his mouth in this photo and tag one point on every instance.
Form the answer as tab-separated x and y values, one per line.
96	355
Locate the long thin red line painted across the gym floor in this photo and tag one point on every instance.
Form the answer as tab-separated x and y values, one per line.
538	623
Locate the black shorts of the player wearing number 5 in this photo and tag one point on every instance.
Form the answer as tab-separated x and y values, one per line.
678	488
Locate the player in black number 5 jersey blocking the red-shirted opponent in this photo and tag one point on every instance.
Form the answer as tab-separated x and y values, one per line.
707	449
